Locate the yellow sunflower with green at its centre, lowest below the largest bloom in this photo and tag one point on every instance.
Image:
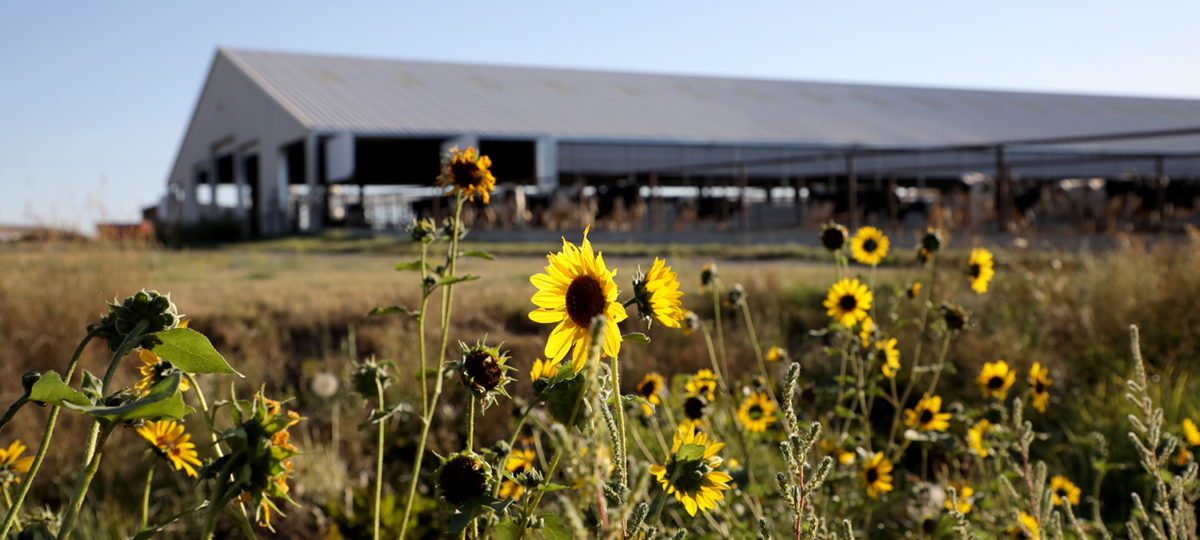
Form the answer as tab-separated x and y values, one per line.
691	472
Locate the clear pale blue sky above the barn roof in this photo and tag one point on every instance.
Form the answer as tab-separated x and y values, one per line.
95	97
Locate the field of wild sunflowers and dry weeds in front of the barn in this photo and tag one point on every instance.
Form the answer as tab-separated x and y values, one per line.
928	391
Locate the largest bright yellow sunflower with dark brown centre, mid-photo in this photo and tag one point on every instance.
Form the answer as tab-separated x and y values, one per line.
575	289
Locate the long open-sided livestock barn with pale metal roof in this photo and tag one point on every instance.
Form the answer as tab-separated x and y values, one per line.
283	143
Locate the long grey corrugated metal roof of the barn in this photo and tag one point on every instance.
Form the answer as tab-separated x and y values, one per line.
367	95
